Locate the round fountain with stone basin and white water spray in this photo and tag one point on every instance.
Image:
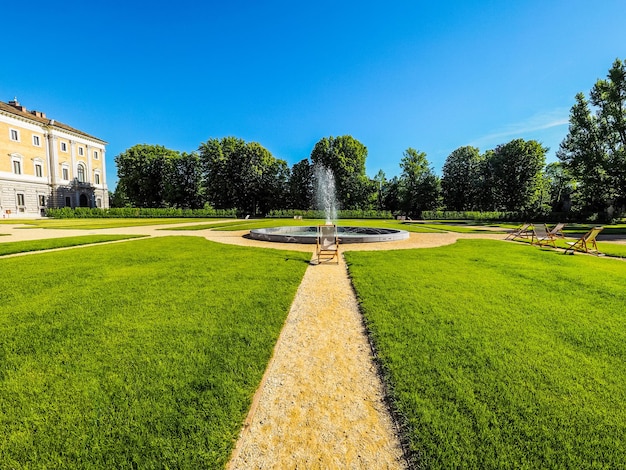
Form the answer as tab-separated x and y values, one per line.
326	201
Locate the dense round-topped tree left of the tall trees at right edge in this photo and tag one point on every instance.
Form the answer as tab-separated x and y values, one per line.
515	170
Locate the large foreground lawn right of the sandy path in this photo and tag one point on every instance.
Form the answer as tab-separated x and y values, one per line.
501	356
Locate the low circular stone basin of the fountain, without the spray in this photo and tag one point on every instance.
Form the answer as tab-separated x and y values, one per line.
301	234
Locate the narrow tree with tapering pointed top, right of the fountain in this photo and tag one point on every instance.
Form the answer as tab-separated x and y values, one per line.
419	186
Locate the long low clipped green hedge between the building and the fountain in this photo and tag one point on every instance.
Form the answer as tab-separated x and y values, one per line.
135	212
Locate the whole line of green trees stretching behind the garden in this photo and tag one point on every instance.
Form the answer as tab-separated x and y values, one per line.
229	173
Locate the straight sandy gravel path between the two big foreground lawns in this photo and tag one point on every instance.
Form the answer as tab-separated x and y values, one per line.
321	402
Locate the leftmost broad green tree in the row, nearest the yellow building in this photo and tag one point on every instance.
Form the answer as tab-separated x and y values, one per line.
141	170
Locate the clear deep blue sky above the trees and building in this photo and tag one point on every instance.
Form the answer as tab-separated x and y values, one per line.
433	75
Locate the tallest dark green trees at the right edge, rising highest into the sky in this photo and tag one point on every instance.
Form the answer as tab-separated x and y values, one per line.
594	151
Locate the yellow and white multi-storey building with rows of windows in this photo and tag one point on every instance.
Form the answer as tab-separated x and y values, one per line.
47	164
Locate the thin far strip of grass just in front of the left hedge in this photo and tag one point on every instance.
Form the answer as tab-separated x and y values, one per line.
90	224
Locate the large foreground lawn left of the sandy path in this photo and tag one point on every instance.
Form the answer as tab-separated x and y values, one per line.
143	354
